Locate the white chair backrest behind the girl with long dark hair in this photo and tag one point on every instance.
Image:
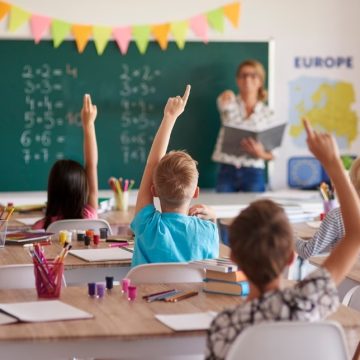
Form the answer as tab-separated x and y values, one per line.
78	224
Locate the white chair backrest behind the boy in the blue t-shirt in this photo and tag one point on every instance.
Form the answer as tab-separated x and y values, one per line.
165	273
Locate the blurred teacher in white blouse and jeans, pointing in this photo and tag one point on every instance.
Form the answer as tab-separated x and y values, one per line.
248	111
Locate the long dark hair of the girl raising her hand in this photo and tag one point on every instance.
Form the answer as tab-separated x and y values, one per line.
67	191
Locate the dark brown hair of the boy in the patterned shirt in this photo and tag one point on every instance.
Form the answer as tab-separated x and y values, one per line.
261	242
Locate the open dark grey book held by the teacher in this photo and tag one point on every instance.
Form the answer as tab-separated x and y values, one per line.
270	138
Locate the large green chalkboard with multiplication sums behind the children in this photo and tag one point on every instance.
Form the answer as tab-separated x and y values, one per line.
41	95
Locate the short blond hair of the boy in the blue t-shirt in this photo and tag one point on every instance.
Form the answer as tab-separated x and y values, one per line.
175	178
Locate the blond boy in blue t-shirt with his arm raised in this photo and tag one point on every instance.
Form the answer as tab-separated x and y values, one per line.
178	233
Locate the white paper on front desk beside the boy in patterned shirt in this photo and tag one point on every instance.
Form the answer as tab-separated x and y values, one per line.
185	322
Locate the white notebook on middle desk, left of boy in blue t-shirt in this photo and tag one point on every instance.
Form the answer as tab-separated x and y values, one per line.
110	254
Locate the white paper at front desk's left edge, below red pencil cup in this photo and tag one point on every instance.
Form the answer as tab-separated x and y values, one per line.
39	311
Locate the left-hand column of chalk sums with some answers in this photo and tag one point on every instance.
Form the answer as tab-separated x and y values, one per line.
41	137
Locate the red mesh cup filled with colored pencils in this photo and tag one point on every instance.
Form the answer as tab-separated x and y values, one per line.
48	273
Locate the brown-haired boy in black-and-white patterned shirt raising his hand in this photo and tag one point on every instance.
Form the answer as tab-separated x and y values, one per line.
262	244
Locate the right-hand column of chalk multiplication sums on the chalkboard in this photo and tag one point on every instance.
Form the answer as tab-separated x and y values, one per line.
137	89
